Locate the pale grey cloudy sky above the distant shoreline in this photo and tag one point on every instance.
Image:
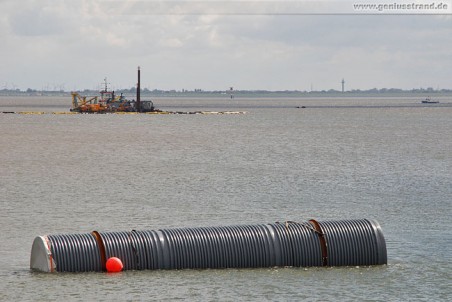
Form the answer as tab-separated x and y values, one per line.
75	44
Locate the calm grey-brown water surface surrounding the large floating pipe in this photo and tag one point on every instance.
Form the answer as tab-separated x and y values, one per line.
388	159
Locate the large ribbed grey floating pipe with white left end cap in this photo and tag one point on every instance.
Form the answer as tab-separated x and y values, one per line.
298	244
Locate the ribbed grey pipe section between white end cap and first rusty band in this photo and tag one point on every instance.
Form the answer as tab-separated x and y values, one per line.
75	253
